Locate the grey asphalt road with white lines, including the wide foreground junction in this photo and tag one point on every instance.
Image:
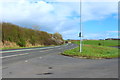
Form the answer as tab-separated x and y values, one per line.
47	62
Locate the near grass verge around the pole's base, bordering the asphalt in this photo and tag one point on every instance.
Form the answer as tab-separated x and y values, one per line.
93	52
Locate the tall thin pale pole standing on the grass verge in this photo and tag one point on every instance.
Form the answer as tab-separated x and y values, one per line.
80	34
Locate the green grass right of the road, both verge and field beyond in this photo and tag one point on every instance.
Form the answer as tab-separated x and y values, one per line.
95	49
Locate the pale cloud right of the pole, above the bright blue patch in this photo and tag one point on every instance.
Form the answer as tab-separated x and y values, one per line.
98	11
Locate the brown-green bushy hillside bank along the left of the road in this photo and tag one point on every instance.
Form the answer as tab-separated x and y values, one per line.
16	36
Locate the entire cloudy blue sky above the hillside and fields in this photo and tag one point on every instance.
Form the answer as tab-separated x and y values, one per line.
99	17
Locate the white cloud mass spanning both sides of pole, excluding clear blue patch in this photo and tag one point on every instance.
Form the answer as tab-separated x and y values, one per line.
55	17
